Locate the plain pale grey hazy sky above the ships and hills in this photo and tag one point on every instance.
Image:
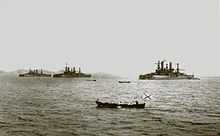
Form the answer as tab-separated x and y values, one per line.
123	37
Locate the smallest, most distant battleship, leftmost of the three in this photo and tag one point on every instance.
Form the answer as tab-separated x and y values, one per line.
35	73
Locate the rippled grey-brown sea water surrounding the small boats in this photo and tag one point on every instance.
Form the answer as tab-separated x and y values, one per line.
66	107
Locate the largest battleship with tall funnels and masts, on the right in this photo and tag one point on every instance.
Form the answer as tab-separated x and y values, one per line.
165	72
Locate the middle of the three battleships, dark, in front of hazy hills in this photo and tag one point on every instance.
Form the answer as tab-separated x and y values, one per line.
71	73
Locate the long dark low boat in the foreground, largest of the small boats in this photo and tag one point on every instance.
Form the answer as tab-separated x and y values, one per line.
115	105
